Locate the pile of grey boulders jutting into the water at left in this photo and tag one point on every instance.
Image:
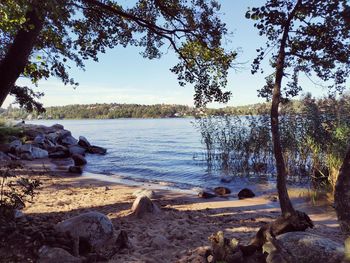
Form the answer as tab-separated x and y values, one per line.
54	142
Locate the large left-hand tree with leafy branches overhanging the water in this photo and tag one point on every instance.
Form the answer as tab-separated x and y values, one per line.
40	39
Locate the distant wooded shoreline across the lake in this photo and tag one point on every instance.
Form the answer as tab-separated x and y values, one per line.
115	110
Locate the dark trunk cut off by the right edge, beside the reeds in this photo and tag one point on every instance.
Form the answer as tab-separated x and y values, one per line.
342	194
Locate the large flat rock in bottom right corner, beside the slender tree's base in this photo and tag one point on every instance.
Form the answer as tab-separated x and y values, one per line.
307	247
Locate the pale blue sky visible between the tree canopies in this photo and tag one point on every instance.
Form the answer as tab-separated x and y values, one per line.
122	75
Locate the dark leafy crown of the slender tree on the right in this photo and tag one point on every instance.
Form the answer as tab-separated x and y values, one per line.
318	43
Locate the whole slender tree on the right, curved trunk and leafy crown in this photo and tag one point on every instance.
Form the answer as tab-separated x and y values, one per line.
303	36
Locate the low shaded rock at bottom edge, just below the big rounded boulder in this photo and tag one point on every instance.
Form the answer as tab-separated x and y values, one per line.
56	255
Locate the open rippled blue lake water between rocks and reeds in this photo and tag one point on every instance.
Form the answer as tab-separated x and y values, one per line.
150	150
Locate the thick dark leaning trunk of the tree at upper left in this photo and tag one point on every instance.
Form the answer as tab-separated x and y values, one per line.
16	58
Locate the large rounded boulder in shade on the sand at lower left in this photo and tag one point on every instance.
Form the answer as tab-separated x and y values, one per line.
93	227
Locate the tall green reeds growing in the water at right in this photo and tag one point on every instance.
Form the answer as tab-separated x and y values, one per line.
314	141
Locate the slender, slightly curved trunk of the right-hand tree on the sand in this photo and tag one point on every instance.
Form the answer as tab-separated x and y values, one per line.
285	203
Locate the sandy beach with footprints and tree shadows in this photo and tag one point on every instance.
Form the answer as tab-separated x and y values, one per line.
179	232
